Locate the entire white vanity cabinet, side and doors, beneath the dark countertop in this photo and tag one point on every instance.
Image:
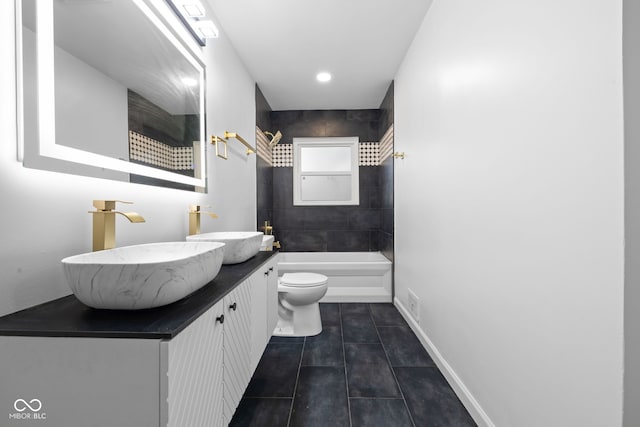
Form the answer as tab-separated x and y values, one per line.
196	378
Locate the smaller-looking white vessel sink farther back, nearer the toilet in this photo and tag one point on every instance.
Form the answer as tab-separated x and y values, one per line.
239	245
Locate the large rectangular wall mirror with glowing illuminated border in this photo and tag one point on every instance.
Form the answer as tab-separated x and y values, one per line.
126	99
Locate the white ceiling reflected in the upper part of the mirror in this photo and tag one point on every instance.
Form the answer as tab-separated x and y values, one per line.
116	38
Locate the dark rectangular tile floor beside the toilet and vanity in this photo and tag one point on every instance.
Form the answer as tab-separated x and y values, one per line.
366	368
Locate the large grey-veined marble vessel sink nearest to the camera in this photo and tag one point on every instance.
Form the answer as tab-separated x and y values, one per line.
142	276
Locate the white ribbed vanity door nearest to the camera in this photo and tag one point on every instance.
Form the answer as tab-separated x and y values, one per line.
194	366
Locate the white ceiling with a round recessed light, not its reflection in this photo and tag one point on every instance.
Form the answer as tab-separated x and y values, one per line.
285	43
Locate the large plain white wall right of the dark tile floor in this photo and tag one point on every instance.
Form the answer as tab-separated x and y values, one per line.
510	114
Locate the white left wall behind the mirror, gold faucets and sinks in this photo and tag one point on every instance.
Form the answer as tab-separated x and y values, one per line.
44	214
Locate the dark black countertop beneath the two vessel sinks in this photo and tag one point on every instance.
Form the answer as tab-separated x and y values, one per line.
68	317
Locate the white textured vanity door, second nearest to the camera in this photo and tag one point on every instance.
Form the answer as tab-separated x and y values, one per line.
237	346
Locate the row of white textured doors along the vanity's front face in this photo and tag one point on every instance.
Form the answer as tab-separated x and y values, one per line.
249	318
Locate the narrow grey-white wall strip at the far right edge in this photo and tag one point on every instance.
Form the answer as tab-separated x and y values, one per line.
632	212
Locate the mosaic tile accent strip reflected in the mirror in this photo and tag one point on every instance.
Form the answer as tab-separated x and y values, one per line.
153	152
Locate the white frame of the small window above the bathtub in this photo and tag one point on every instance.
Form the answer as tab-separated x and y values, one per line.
298	175
